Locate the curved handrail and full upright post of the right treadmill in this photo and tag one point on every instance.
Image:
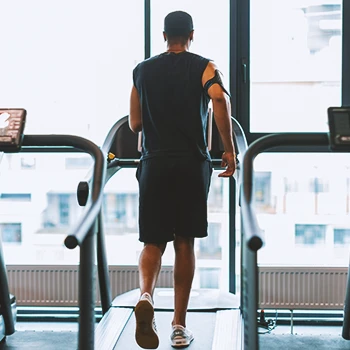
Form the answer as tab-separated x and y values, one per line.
252	235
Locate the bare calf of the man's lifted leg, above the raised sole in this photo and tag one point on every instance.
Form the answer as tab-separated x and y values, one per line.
149	266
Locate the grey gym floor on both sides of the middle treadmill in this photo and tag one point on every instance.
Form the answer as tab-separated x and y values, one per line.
57	336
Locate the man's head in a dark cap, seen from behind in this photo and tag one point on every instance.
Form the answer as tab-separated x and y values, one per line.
178	27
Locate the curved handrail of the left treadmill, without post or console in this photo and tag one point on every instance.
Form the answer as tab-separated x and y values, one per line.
38	142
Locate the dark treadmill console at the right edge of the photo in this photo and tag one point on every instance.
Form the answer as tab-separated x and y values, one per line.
339	128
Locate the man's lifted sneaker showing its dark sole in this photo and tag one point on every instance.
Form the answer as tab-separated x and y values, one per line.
146	330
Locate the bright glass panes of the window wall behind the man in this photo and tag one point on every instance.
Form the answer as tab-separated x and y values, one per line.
70	65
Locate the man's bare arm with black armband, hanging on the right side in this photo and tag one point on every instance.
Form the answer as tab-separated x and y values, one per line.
222	116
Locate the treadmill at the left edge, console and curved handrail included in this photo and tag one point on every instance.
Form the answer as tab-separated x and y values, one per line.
12	140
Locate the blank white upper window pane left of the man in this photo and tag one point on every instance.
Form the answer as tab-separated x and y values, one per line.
70	64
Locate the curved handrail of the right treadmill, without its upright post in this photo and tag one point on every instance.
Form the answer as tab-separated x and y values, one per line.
253	234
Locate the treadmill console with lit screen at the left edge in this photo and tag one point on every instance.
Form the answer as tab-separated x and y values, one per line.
12	123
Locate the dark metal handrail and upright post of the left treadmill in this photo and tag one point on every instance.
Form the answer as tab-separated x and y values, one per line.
82	234
